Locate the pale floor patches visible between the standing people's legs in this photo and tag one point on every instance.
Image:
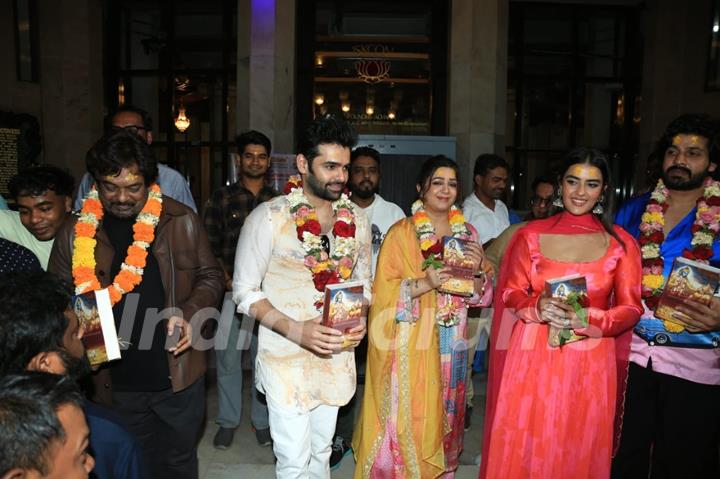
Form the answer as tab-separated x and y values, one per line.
246	459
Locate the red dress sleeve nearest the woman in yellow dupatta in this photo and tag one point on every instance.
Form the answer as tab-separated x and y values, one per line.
516	291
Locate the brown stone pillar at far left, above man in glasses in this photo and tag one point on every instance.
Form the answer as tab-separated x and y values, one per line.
70	44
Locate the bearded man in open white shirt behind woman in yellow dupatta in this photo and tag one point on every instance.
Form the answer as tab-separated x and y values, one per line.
364	183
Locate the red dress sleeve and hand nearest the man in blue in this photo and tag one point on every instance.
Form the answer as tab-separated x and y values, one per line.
627	307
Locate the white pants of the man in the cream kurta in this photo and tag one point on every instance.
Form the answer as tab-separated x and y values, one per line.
302	441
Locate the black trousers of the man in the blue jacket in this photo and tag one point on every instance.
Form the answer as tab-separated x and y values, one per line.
671	428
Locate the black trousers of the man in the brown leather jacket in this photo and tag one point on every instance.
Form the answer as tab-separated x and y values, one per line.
167	425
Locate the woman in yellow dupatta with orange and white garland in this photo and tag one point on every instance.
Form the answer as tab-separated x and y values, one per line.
411	423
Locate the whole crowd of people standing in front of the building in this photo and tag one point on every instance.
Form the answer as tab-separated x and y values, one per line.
589	384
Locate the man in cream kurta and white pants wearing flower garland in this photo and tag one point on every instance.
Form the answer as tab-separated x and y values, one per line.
289	248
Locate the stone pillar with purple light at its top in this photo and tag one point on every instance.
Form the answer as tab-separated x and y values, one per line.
266	67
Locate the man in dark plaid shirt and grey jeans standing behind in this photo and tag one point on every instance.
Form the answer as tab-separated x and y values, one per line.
224	217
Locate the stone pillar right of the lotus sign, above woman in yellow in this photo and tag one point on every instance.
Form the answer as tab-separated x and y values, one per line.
478	79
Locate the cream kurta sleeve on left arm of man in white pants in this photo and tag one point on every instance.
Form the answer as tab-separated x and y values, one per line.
252	257
